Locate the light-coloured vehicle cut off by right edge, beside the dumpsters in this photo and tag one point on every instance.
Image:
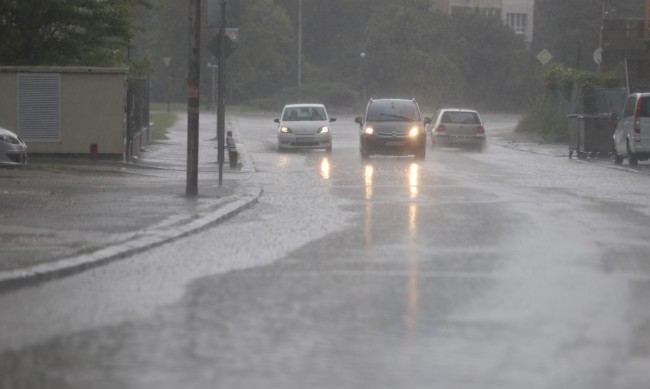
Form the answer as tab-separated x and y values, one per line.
632	134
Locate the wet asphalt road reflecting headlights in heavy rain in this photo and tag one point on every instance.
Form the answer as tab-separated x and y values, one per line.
501	269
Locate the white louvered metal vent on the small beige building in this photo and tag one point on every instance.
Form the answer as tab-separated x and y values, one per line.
39	106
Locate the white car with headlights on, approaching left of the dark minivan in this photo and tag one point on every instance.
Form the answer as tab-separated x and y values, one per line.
304	126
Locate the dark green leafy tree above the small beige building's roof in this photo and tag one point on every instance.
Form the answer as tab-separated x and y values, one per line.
66	32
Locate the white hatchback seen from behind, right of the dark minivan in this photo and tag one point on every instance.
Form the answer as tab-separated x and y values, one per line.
454	126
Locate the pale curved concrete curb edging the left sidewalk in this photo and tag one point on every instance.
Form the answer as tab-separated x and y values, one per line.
139	242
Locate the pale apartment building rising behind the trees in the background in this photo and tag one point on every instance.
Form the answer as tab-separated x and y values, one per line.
518	14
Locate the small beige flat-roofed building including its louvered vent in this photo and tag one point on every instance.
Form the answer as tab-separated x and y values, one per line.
72	111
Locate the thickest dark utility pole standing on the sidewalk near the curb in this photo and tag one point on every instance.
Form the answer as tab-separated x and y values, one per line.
194	75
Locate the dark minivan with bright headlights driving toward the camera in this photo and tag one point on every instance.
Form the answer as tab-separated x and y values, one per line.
392	127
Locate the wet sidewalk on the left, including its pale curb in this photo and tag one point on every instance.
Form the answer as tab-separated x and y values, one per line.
62	216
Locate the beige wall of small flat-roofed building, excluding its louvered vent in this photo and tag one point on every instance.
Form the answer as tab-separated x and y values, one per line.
91	110
